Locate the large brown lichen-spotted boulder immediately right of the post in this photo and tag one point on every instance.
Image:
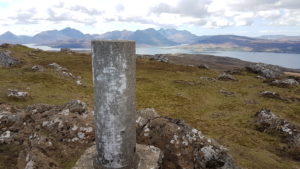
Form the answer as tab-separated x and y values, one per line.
182	145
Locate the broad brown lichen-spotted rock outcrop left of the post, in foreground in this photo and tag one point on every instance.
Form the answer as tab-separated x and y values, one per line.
46	133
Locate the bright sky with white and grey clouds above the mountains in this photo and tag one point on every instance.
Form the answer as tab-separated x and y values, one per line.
201	17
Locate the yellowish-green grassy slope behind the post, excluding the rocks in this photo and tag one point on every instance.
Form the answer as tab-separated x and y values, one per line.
226	119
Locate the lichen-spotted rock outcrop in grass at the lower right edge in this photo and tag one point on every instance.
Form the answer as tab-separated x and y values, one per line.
268	122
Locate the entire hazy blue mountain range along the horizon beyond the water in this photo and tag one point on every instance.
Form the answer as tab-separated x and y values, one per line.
72	38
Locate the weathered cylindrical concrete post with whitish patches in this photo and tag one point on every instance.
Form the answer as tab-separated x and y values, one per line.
114	98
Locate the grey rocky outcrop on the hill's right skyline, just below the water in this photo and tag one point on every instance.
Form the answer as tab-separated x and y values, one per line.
265	70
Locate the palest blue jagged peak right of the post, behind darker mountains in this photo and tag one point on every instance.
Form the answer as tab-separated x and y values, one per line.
179	36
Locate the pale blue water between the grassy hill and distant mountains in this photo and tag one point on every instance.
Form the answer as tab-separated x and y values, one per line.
282	59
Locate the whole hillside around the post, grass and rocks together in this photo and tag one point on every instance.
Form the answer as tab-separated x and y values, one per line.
204	116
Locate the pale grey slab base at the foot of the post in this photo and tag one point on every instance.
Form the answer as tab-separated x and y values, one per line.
150	157
